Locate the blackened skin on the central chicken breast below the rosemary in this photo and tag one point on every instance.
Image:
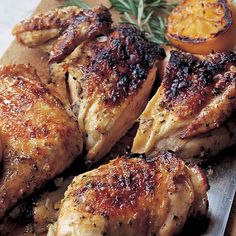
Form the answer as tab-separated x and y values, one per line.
117	66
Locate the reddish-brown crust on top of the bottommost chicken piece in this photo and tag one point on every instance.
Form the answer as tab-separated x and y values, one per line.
134	181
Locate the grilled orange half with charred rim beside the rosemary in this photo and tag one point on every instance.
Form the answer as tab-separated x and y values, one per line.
203	26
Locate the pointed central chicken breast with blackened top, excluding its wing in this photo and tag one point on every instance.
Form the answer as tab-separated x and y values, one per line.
109	83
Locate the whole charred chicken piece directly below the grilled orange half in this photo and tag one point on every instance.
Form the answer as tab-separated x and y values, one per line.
192	113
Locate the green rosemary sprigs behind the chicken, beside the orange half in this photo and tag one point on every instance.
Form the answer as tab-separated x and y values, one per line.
147	15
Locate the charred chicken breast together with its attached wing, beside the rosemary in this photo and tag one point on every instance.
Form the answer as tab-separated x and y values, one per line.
106	81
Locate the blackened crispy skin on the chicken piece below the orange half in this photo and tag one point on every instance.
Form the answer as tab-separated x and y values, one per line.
192	84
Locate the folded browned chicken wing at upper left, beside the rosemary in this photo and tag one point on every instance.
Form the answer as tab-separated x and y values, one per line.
72	24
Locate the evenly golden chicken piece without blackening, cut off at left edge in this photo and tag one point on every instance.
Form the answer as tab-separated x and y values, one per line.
39	139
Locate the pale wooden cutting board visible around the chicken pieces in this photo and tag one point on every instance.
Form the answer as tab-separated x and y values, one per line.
20	54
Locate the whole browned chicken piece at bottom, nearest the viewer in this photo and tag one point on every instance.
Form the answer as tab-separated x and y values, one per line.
133	195
